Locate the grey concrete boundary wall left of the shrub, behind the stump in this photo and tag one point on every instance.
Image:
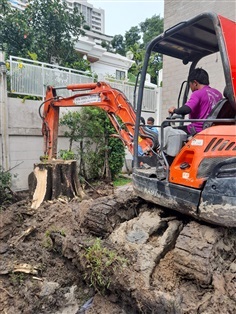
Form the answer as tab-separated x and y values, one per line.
25	141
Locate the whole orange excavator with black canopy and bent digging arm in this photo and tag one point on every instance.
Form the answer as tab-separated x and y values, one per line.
200	181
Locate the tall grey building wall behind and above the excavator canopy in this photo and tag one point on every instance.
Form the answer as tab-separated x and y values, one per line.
174	72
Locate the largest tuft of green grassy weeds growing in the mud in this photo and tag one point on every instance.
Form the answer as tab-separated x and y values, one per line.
101	263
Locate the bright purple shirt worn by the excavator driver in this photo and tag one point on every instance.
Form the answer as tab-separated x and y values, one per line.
201	103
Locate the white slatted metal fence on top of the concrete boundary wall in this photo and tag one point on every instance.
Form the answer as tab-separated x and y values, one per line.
28	77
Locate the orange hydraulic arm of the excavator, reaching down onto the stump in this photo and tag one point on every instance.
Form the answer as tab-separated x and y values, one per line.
101	95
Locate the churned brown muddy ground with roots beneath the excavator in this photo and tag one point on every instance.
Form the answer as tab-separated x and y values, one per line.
153	260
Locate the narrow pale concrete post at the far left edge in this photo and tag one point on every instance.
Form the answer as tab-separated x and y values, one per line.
4	113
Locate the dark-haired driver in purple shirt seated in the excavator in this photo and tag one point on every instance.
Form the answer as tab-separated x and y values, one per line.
201	102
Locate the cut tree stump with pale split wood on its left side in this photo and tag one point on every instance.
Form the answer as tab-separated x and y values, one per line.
52	179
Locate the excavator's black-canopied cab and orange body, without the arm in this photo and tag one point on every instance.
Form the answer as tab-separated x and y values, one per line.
200	179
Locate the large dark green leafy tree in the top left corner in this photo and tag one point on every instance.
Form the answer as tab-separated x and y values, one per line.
45	27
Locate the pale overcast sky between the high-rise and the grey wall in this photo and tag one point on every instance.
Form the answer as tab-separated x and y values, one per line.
121	15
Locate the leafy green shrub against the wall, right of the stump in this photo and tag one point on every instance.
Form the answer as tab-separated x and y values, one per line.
99	154
